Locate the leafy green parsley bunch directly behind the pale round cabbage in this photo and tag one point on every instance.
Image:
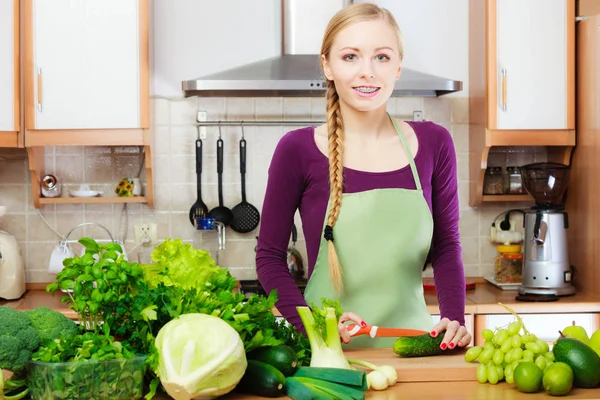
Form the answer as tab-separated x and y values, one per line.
252	318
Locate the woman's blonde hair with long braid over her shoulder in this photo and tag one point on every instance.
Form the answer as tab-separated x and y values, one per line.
335	125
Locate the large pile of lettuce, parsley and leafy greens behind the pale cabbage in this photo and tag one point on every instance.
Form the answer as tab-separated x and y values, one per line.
136	302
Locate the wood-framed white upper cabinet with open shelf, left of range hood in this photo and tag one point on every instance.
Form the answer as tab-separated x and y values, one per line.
86	82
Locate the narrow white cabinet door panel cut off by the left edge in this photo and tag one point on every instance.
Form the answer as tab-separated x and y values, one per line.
7	65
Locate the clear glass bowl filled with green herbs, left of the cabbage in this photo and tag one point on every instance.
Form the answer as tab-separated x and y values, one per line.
88	366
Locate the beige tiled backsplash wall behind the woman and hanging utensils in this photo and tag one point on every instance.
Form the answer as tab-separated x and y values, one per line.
175	182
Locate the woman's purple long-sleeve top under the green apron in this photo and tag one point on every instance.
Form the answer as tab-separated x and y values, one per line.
299	180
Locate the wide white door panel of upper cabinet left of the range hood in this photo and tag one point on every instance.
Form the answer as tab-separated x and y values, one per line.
86	63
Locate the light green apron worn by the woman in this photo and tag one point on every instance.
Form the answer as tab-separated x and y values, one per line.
382	238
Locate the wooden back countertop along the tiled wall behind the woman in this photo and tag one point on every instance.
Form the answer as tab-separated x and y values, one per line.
481	300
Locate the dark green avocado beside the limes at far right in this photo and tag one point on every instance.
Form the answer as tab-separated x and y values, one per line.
582	359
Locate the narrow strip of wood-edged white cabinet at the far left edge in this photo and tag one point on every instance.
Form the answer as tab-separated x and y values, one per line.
10	104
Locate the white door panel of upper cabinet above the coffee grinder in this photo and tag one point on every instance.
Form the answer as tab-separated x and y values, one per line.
532	53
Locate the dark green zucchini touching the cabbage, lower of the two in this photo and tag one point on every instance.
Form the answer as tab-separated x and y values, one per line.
262	379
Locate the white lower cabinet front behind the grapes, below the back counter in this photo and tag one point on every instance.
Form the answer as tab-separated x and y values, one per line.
546	326
